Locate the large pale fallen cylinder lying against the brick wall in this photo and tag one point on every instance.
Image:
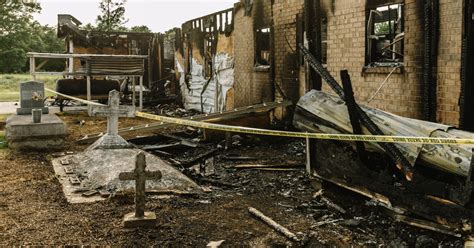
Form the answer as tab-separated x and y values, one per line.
320	112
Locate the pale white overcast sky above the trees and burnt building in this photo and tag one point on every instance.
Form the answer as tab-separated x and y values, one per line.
158	15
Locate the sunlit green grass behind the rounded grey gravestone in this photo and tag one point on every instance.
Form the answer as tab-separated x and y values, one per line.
10	89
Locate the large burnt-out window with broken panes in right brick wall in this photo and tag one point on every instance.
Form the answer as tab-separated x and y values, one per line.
385	35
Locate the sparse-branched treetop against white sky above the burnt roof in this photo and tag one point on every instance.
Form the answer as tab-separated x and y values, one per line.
112	16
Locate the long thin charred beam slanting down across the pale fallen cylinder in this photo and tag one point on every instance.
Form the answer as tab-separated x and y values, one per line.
391	149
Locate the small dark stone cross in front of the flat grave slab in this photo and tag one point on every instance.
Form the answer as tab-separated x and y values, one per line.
140	218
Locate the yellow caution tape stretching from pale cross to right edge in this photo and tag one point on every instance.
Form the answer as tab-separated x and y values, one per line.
341	137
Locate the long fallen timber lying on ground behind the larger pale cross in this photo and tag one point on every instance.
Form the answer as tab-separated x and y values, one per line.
212	117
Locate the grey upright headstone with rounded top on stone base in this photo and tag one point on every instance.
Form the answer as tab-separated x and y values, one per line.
31	97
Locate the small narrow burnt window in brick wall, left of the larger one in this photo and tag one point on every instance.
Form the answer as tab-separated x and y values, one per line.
259	61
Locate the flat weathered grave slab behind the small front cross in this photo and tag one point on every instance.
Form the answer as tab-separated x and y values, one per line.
94	175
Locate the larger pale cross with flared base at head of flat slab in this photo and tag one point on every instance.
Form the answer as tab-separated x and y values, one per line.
113	111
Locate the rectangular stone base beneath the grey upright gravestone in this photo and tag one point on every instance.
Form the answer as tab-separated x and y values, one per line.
23	134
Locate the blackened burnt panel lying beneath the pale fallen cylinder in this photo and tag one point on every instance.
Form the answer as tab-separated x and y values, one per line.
421	203
